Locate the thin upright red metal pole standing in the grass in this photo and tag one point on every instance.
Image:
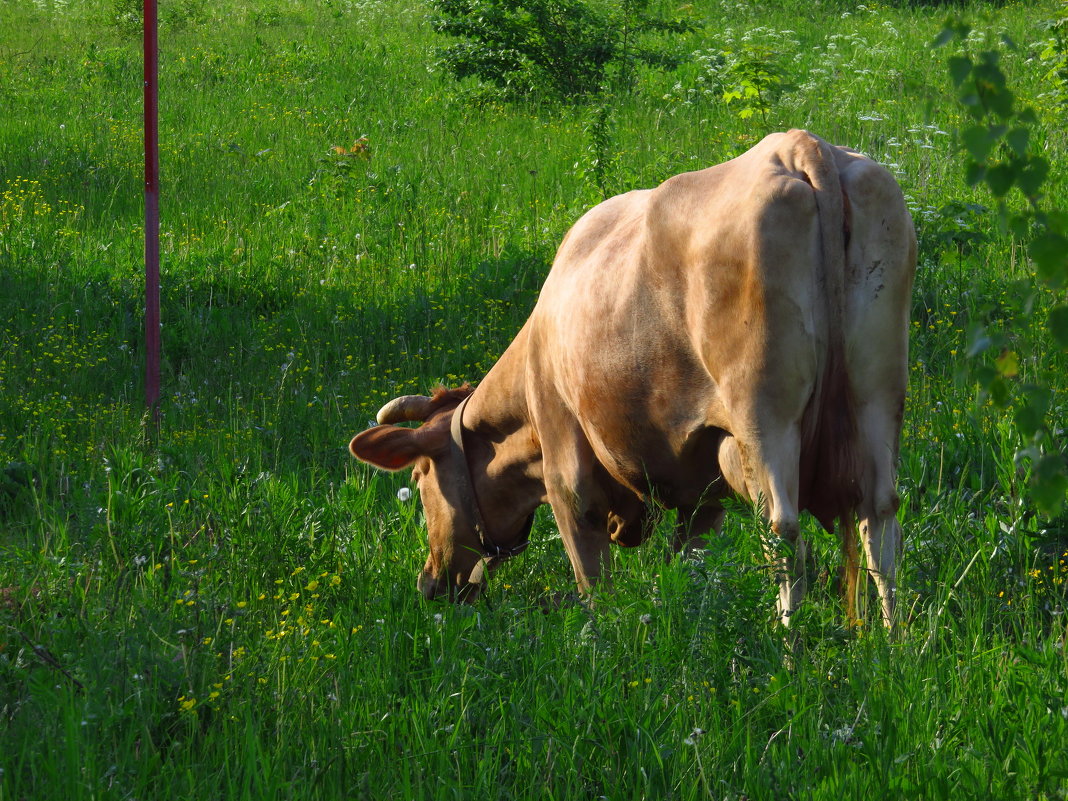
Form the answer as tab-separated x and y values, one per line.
152	347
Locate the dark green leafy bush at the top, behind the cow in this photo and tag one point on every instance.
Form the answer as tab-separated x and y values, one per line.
566	49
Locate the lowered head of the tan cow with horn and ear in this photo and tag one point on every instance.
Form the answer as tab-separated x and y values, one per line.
460	551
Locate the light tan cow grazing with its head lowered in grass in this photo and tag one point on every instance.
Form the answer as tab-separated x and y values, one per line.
742	328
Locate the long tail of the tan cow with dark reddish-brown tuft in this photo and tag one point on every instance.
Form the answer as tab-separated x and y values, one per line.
835	486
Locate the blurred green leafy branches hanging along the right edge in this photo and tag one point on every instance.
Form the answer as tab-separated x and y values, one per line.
998	144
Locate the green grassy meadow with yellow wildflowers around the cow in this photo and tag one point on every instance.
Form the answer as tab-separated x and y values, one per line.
226	608
